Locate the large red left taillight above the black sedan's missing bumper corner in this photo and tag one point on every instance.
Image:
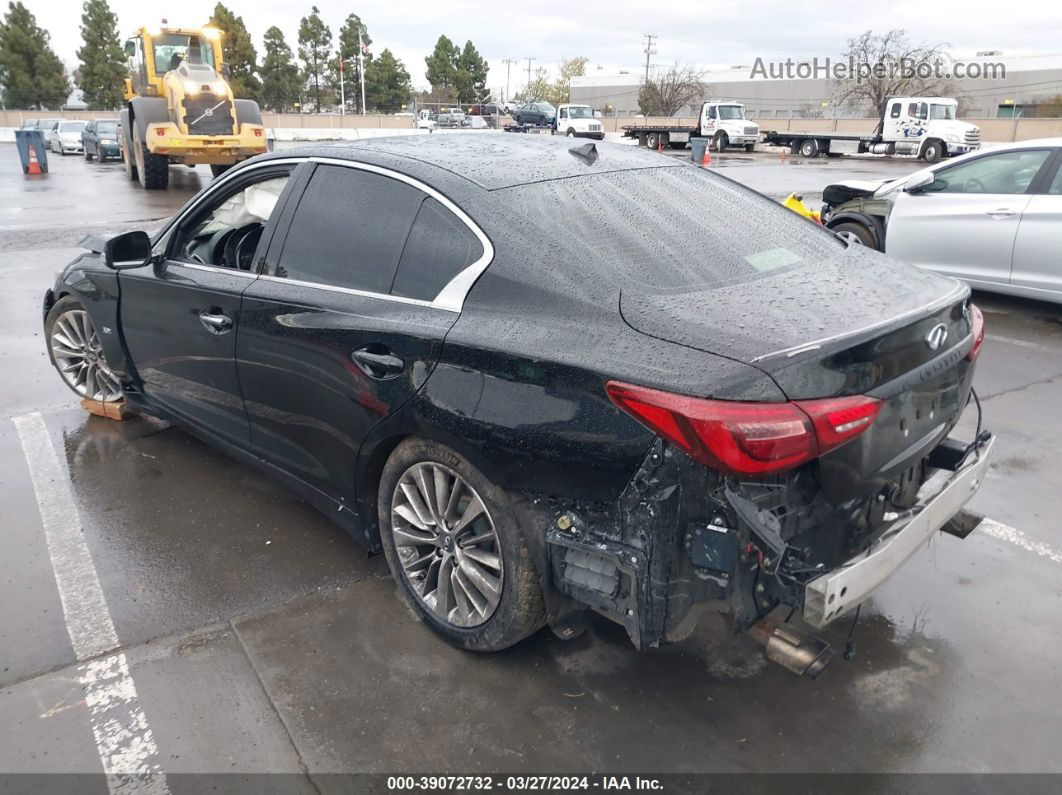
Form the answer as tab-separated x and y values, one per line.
747	439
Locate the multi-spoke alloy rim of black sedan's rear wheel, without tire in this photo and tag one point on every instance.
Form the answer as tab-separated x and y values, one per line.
448	545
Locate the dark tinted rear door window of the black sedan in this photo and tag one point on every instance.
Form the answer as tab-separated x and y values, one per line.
350	230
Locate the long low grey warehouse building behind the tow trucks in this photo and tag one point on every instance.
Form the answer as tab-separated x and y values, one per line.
1009	89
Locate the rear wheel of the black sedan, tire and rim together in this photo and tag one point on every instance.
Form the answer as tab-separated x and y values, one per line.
456	549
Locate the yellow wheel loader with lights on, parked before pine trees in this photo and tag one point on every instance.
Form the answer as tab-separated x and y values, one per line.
180	109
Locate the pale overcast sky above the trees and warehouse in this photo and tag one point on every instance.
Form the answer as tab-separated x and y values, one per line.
609	33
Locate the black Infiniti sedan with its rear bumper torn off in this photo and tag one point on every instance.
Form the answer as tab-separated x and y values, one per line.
690	399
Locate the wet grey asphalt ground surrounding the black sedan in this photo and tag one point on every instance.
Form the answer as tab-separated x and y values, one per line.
262	638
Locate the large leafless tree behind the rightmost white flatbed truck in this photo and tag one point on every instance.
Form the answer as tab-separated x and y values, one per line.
887	66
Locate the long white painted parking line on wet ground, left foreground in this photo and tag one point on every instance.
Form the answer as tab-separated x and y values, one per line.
124	738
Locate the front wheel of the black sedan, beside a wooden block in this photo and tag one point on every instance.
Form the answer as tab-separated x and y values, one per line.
75	349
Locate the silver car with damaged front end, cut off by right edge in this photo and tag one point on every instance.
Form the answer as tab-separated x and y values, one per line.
992	218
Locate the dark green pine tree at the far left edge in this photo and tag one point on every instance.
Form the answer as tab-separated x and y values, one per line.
31	74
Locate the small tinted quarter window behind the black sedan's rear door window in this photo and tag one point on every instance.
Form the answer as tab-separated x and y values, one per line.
439	248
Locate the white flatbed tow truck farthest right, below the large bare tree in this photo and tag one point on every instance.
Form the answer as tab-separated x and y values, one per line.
924	127
